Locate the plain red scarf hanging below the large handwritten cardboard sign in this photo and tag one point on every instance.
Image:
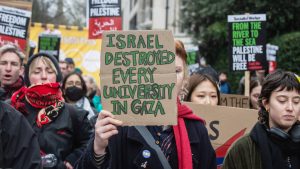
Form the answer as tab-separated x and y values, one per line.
184	152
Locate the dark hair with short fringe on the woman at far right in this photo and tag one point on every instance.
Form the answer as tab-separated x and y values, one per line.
278	80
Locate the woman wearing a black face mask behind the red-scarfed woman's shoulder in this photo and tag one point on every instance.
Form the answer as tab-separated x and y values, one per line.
74	91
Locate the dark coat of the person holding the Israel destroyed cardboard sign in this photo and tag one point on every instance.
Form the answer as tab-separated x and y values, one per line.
125	150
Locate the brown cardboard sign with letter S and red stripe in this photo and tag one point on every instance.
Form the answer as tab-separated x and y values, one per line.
225	125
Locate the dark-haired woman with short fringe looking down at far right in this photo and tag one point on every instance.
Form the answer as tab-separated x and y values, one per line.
274	142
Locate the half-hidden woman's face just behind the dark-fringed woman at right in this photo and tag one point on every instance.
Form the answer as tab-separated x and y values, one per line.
255	89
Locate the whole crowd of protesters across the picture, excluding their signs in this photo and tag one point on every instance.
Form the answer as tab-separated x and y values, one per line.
51	116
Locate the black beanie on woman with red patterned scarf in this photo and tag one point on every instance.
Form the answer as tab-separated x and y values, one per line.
53	60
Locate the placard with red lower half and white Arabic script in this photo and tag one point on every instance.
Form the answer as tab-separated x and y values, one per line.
103	15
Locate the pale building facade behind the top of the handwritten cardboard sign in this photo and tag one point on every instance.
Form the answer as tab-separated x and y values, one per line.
156	14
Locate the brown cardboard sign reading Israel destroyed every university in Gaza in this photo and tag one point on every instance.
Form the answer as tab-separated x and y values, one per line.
138	76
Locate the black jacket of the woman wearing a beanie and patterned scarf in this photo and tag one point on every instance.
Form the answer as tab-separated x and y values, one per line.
66	137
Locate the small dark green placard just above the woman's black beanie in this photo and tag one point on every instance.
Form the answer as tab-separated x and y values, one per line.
49	44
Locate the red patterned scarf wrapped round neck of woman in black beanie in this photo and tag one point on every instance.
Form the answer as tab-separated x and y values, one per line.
47	97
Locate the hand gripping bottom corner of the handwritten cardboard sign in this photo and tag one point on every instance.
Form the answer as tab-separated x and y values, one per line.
105	127
